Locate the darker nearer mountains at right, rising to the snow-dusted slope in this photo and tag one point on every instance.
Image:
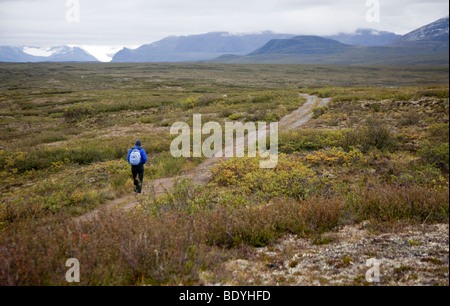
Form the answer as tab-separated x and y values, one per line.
428	45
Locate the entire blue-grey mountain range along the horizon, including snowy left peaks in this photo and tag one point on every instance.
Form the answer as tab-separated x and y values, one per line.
428	45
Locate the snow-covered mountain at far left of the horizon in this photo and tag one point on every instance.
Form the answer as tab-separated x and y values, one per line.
40	54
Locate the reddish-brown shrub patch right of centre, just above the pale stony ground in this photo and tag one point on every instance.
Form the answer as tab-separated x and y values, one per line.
259	225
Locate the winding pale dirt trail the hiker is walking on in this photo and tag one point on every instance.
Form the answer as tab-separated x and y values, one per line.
200	175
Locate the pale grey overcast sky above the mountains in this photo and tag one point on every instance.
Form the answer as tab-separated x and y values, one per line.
117	23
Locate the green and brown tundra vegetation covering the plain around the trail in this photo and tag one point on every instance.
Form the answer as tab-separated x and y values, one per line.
378	155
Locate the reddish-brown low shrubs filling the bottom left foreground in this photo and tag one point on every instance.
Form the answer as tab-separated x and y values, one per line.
117	249
